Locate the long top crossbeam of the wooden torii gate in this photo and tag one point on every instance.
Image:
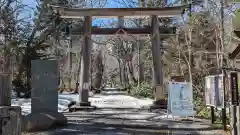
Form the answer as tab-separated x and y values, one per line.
75	13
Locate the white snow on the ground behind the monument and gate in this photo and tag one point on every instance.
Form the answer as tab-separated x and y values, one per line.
100	100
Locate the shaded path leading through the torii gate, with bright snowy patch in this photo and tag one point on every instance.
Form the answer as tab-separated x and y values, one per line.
128	121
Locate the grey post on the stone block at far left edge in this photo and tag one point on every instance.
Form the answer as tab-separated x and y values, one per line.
5	89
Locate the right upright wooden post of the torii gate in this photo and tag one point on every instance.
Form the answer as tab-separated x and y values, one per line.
157	62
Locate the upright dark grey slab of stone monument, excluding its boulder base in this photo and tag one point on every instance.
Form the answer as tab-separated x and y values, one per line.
44	82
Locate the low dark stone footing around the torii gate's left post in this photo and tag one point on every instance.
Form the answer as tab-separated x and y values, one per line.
82	106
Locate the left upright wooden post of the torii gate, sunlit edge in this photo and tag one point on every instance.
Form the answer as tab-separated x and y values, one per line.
85	63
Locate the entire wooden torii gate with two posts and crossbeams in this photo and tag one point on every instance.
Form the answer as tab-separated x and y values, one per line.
87	30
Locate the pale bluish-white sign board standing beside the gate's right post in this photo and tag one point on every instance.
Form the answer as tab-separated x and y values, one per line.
180	99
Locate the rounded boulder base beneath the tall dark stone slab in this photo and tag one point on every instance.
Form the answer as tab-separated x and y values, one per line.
43	121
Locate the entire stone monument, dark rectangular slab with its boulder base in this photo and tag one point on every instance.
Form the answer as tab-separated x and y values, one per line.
44	107
